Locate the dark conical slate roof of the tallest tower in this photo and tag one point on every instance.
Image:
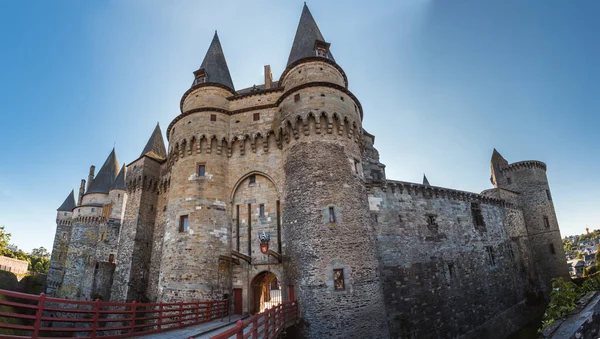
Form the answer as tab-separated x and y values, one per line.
306	35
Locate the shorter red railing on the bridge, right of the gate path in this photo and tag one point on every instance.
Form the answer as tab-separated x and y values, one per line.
268	324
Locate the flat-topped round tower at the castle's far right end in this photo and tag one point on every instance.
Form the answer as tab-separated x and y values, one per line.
528	179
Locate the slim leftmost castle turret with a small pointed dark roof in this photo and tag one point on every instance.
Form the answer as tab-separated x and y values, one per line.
60	247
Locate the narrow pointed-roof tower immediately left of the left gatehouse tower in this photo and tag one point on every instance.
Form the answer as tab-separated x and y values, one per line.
136	236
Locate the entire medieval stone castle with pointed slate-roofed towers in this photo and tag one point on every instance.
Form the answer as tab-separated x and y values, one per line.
365	256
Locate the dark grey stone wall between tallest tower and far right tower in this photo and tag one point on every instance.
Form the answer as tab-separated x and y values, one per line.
444	276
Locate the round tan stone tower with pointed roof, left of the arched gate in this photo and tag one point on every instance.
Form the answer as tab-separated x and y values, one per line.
197	222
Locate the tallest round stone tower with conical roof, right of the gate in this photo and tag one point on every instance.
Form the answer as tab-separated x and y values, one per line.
330	252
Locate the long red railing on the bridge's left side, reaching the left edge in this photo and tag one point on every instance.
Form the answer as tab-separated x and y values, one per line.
39	317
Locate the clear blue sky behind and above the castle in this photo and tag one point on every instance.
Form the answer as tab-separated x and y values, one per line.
442	83
